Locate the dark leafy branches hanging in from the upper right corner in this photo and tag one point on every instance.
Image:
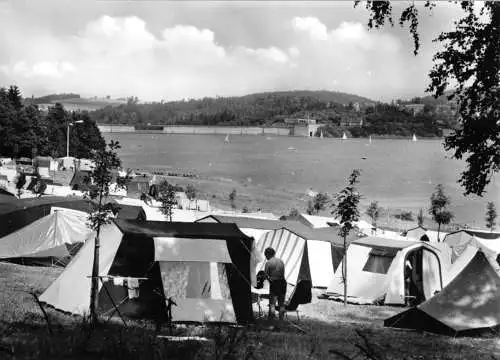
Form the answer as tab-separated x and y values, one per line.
469	62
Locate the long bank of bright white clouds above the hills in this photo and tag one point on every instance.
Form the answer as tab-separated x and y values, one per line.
121	56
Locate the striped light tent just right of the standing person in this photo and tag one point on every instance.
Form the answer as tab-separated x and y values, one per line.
308	254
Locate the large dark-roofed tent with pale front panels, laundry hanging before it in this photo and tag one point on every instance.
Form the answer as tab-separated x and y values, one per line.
203	268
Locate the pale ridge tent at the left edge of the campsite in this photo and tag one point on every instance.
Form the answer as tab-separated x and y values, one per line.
50	239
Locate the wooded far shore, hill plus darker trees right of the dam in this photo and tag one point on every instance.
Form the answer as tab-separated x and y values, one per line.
271	109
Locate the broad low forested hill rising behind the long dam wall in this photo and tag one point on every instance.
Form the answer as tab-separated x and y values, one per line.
255	109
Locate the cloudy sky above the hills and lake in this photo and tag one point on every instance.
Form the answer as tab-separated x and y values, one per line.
187	49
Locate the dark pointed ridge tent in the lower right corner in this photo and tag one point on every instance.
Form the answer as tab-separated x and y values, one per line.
468	305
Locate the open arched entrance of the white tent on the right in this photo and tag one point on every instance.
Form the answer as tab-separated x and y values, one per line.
422	274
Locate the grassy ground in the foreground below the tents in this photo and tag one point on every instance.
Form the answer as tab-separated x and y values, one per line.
325	327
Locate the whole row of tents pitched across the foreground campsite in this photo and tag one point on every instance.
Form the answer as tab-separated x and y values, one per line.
207	265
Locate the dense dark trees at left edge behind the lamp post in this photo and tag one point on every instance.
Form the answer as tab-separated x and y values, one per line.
27	132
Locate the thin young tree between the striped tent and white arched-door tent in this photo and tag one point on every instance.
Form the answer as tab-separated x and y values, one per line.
346	209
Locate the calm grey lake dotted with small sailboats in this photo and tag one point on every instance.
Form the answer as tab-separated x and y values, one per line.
397	173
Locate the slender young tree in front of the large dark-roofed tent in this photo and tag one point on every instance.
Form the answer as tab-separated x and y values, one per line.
105	161
